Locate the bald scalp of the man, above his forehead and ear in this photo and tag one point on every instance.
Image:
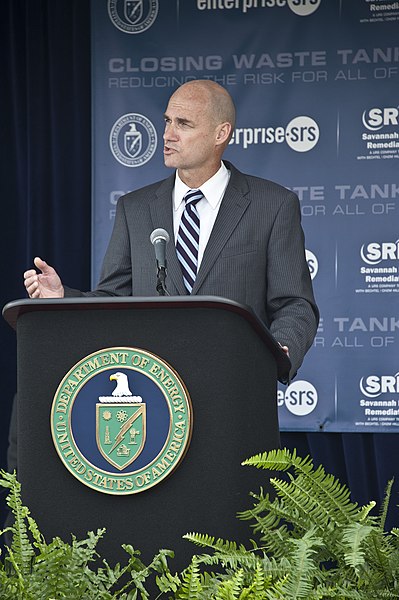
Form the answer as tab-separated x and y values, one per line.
215	99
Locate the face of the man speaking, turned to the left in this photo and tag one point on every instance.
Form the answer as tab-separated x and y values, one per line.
190	131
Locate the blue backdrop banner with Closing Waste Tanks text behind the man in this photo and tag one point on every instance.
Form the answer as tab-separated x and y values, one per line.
315	83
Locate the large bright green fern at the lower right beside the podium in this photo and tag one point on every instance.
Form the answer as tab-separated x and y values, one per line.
314	543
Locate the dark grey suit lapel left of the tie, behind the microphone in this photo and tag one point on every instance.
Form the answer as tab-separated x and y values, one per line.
162	216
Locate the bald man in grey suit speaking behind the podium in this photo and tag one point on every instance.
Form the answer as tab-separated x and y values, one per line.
235	235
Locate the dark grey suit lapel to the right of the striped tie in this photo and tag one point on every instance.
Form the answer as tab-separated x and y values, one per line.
234	204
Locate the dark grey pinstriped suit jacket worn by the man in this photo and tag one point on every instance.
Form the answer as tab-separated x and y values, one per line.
255	255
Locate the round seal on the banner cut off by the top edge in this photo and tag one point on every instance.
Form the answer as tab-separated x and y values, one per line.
133	16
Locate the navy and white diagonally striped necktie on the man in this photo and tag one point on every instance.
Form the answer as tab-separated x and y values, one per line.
187	241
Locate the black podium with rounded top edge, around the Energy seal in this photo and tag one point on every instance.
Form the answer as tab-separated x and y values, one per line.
229	364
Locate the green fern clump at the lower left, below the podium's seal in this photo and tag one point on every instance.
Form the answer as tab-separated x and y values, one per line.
33	569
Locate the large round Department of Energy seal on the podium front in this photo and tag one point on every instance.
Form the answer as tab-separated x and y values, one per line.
121	420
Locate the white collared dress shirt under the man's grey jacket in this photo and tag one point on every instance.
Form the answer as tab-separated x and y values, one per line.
207	207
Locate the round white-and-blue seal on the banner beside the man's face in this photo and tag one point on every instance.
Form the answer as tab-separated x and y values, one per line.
133	140
